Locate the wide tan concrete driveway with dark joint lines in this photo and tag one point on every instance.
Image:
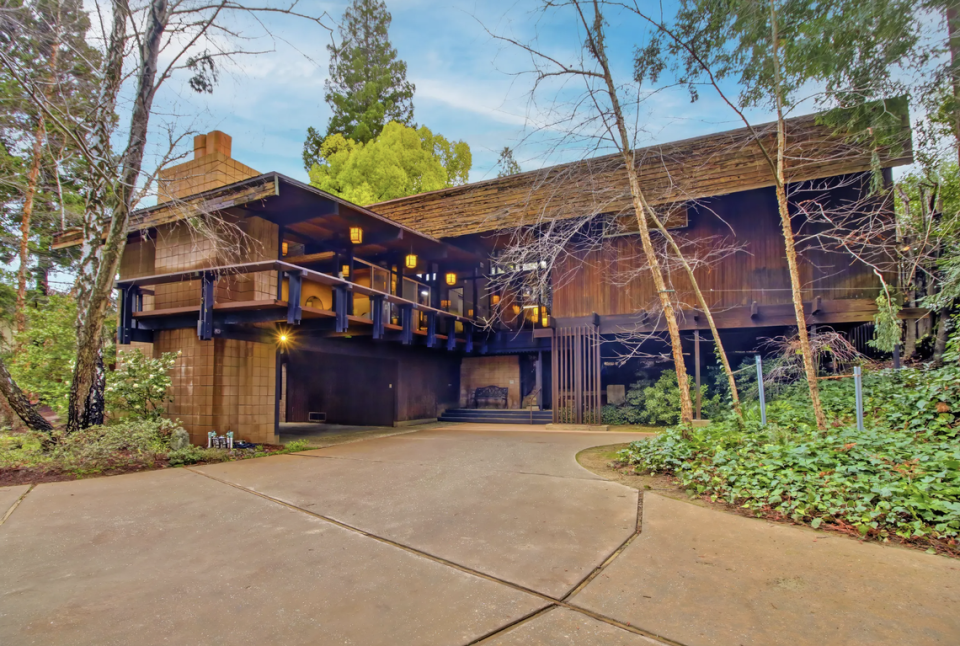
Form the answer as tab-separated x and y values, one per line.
464	535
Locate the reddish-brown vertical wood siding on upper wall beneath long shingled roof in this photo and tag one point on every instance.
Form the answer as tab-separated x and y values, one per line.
597	282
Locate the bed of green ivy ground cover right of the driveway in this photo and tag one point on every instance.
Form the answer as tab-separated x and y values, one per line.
901	475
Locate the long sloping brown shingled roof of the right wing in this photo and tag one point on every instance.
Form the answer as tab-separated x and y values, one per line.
692	169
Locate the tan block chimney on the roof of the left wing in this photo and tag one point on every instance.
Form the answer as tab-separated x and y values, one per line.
211	167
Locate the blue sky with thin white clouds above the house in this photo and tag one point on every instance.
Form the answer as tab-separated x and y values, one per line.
466	86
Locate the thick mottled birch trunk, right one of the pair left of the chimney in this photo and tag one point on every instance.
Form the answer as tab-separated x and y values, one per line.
86	393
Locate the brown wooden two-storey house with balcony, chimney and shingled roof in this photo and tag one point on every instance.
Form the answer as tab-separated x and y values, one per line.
289	305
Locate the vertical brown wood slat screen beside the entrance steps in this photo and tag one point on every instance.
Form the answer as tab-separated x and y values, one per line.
576	375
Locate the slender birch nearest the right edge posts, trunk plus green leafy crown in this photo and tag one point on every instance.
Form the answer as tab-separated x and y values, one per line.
772	48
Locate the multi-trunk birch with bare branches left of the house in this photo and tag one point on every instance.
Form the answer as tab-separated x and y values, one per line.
144	45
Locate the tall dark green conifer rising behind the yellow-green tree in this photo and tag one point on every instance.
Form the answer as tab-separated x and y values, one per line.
368	84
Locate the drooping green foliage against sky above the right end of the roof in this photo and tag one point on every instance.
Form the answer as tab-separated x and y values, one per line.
848	45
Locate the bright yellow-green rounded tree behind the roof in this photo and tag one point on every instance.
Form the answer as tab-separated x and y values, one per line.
401	161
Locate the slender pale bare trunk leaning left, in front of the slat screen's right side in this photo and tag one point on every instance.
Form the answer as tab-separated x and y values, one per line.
641	209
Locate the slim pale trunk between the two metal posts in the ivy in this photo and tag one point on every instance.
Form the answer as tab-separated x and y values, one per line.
796	286
